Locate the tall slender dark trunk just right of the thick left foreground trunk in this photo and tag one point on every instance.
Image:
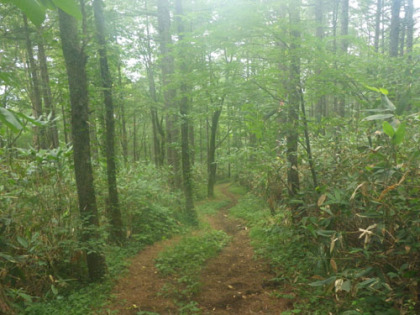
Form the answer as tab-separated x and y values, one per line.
117	230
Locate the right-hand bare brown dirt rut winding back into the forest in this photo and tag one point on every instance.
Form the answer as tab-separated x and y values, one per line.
232	282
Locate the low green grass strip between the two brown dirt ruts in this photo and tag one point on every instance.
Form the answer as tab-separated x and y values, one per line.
183	263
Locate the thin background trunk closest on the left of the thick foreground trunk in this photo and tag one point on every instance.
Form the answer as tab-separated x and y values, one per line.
52	131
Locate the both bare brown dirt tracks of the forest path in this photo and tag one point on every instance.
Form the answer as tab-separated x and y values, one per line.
234	282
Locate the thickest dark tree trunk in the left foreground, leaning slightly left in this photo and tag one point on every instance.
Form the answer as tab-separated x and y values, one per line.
75	60
